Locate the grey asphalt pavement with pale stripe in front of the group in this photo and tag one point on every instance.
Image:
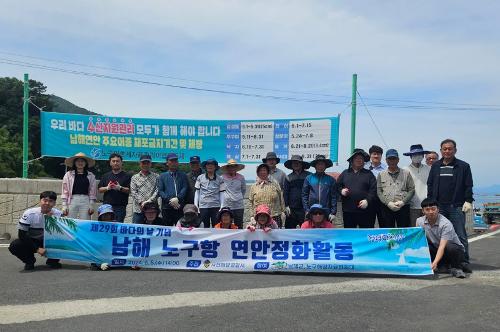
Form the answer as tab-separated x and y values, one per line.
77	299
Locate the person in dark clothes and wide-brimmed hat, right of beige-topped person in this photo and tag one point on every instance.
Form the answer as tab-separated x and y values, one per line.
292	191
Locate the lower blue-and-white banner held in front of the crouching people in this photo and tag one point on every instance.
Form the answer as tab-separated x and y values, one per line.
399	251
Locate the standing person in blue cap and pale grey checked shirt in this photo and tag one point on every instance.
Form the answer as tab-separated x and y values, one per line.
143	188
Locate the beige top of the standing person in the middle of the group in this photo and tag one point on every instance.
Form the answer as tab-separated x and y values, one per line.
269	193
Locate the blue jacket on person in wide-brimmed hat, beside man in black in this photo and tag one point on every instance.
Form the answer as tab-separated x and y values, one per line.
320	189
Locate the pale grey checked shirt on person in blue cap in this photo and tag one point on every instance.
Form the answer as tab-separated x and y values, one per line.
143	188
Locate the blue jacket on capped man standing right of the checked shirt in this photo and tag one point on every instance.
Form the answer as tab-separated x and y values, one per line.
170	186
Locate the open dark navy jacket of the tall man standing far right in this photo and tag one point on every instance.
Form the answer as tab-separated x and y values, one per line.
462	177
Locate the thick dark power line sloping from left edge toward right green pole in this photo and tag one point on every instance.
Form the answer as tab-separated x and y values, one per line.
185	87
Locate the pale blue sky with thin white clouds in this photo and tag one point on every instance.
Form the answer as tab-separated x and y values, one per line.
443	55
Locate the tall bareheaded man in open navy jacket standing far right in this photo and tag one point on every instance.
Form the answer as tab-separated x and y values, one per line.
450	184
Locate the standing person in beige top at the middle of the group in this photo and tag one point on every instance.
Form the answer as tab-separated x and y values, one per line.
266	191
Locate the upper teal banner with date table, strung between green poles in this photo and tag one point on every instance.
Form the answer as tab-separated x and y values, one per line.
247	141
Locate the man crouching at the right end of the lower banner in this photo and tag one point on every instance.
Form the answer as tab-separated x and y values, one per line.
444	245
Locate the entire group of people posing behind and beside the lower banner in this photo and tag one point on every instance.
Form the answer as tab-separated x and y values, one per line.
213	196
